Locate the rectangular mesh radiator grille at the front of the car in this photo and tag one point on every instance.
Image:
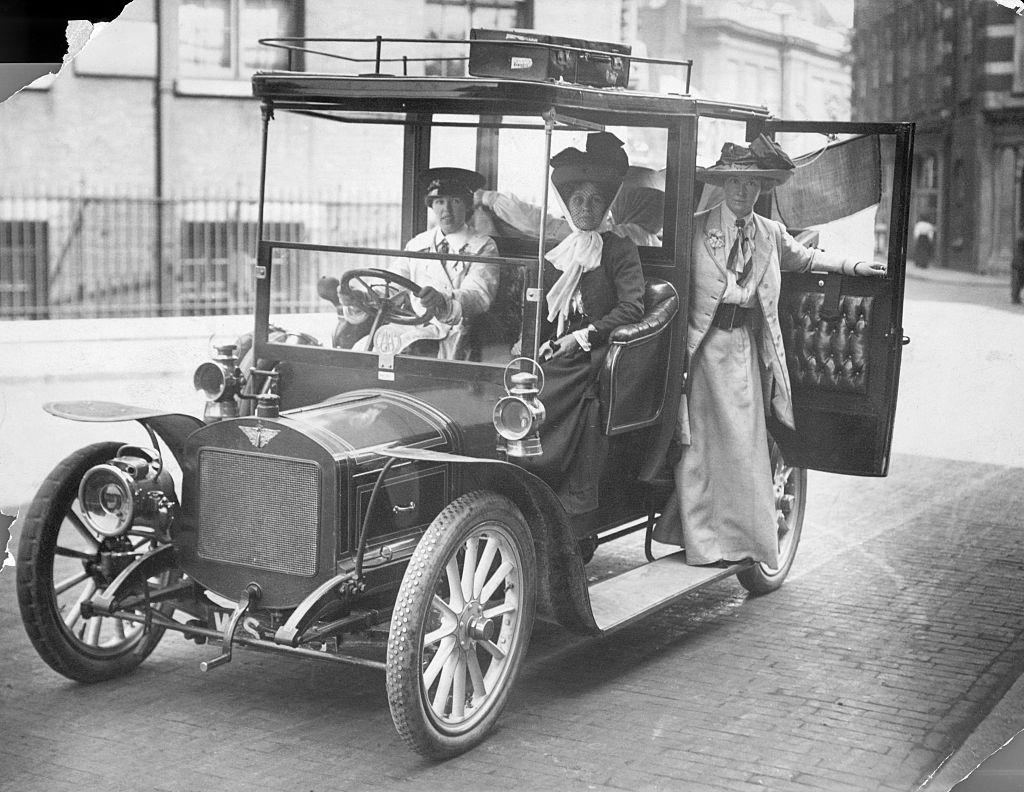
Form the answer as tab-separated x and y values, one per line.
260	512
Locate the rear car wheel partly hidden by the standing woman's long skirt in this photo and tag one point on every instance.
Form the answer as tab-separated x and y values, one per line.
791	501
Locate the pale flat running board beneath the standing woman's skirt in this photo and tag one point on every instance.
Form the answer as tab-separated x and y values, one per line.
621	601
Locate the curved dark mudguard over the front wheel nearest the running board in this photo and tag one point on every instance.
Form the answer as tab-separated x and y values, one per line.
564	597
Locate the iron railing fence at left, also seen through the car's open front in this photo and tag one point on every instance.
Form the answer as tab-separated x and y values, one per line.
98	256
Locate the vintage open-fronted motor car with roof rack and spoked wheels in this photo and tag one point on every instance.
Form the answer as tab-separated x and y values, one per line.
333	491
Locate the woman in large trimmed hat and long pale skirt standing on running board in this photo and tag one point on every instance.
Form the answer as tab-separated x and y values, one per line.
723	506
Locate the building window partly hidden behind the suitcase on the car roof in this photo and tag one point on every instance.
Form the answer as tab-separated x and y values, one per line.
455	19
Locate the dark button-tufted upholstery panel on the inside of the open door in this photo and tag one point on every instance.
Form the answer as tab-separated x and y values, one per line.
827	353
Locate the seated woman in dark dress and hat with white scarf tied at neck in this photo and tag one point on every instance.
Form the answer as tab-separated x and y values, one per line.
594	284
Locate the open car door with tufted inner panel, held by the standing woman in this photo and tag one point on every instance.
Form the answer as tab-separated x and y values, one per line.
844	336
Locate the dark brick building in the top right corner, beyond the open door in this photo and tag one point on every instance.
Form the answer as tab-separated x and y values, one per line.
957	69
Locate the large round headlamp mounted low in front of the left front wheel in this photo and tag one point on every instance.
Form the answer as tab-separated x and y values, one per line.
127	489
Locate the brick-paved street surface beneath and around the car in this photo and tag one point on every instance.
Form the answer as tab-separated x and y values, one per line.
891	660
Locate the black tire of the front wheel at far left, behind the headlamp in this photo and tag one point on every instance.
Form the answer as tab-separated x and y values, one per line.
63	651
